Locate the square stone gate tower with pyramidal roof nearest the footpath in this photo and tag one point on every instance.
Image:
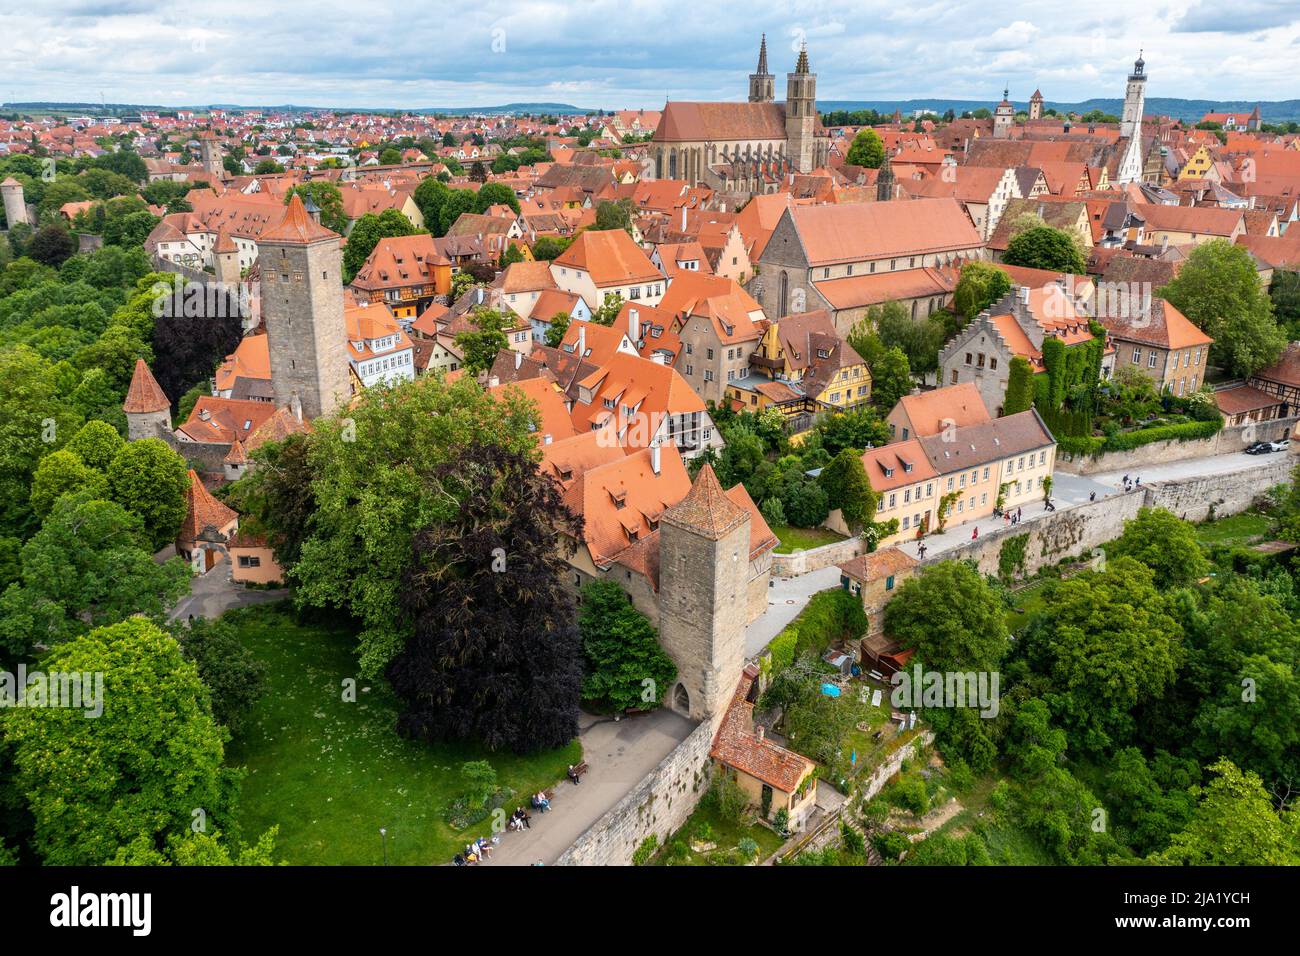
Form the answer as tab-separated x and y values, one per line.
704	579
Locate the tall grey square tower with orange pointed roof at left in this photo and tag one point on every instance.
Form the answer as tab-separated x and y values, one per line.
302	308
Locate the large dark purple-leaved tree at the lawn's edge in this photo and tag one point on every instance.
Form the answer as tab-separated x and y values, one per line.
496	656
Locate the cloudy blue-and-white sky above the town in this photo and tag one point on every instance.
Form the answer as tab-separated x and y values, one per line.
627	54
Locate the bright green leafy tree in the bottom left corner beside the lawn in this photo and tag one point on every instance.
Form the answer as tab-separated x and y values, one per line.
141	769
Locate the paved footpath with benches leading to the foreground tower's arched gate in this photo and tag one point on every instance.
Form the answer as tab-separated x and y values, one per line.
618	754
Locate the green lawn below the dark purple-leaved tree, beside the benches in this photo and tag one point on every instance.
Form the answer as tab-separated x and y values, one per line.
332	773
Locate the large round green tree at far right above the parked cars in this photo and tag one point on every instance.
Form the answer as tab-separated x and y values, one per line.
1220	291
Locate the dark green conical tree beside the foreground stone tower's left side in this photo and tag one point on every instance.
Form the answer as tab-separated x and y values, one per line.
626	667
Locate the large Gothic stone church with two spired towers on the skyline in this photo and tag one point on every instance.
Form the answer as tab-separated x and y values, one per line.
747	148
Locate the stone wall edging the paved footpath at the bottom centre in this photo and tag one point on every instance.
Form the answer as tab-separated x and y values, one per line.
658	806
